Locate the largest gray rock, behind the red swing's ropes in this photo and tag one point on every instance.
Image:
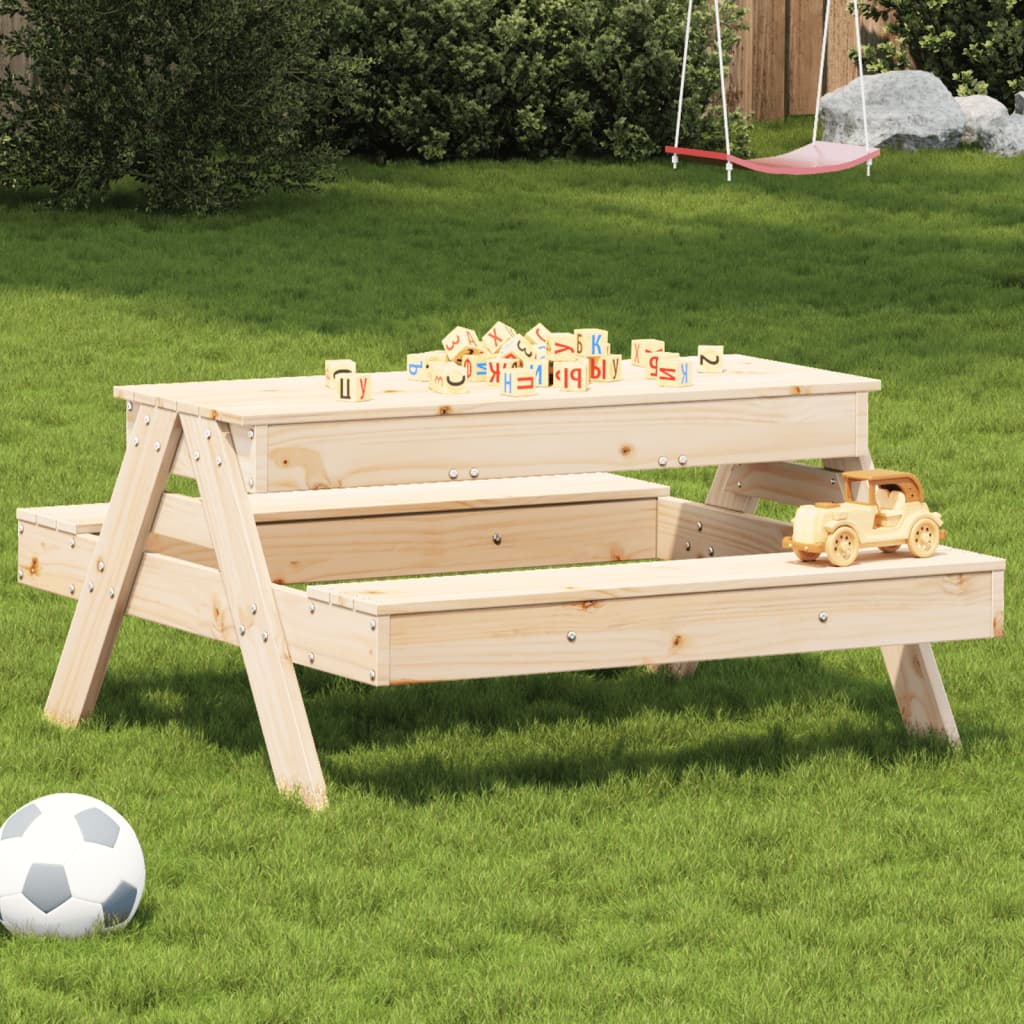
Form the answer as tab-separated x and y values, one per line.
907	110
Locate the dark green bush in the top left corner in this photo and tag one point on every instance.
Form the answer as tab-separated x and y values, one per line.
205	104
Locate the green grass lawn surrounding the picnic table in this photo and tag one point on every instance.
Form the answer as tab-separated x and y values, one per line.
763	842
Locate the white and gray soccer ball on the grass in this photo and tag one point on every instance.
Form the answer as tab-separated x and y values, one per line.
69	866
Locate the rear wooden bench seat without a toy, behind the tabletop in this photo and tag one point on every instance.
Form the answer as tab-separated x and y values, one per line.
409	530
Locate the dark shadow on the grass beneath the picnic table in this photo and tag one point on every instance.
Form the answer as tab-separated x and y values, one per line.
416	744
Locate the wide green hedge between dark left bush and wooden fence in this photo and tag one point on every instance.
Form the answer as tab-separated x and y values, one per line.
531	78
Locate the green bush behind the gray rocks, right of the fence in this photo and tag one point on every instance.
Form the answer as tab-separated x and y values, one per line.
972	46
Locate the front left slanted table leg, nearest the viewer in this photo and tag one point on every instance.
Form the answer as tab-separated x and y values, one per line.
254	611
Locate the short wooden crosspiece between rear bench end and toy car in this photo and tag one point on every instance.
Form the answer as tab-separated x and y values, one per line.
694	530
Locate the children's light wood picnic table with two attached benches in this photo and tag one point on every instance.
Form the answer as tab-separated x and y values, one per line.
396	495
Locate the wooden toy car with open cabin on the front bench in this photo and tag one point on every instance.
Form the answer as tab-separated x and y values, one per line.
894	515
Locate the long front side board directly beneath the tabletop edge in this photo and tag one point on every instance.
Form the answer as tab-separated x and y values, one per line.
616	439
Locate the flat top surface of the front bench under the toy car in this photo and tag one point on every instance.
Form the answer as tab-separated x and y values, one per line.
600	584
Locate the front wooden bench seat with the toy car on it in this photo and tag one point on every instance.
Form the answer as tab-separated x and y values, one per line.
668	612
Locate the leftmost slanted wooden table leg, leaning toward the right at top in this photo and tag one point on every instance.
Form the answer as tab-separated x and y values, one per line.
110	580
